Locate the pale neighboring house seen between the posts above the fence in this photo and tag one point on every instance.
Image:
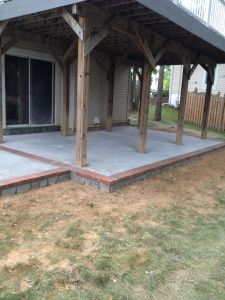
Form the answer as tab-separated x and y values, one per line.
197	82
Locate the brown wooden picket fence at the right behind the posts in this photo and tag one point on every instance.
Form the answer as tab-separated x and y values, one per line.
195	106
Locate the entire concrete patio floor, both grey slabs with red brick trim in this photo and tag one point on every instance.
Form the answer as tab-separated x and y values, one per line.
109	154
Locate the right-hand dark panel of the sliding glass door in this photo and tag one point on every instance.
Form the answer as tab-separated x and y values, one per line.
41	96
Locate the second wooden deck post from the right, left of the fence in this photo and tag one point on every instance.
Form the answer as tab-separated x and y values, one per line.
183	98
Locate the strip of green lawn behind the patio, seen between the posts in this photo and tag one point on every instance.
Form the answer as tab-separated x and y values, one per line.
169	122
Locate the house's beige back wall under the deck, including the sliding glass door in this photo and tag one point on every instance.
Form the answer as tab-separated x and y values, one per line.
33	86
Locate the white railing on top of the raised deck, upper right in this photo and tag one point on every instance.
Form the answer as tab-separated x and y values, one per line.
210	12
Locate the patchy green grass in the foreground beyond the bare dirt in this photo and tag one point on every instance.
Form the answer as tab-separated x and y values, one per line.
181	258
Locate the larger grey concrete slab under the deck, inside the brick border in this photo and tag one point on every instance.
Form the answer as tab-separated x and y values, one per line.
108	153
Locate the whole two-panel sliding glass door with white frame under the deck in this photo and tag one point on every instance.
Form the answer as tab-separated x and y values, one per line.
29	91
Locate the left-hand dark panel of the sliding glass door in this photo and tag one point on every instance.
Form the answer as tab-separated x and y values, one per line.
17	87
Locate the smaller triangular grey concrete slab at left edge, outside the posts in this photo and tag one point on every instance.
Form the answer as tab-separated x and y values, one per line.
12	166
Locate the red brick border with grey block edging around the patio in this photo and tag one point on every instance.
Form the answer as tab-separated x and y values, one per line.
65	171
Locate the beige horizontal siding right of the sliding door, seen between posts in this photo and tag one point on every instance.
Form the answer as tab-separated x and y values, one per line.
99	94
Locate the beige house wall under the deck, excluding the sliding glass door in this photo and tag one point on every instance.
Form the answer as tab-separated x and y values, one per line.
98	89
